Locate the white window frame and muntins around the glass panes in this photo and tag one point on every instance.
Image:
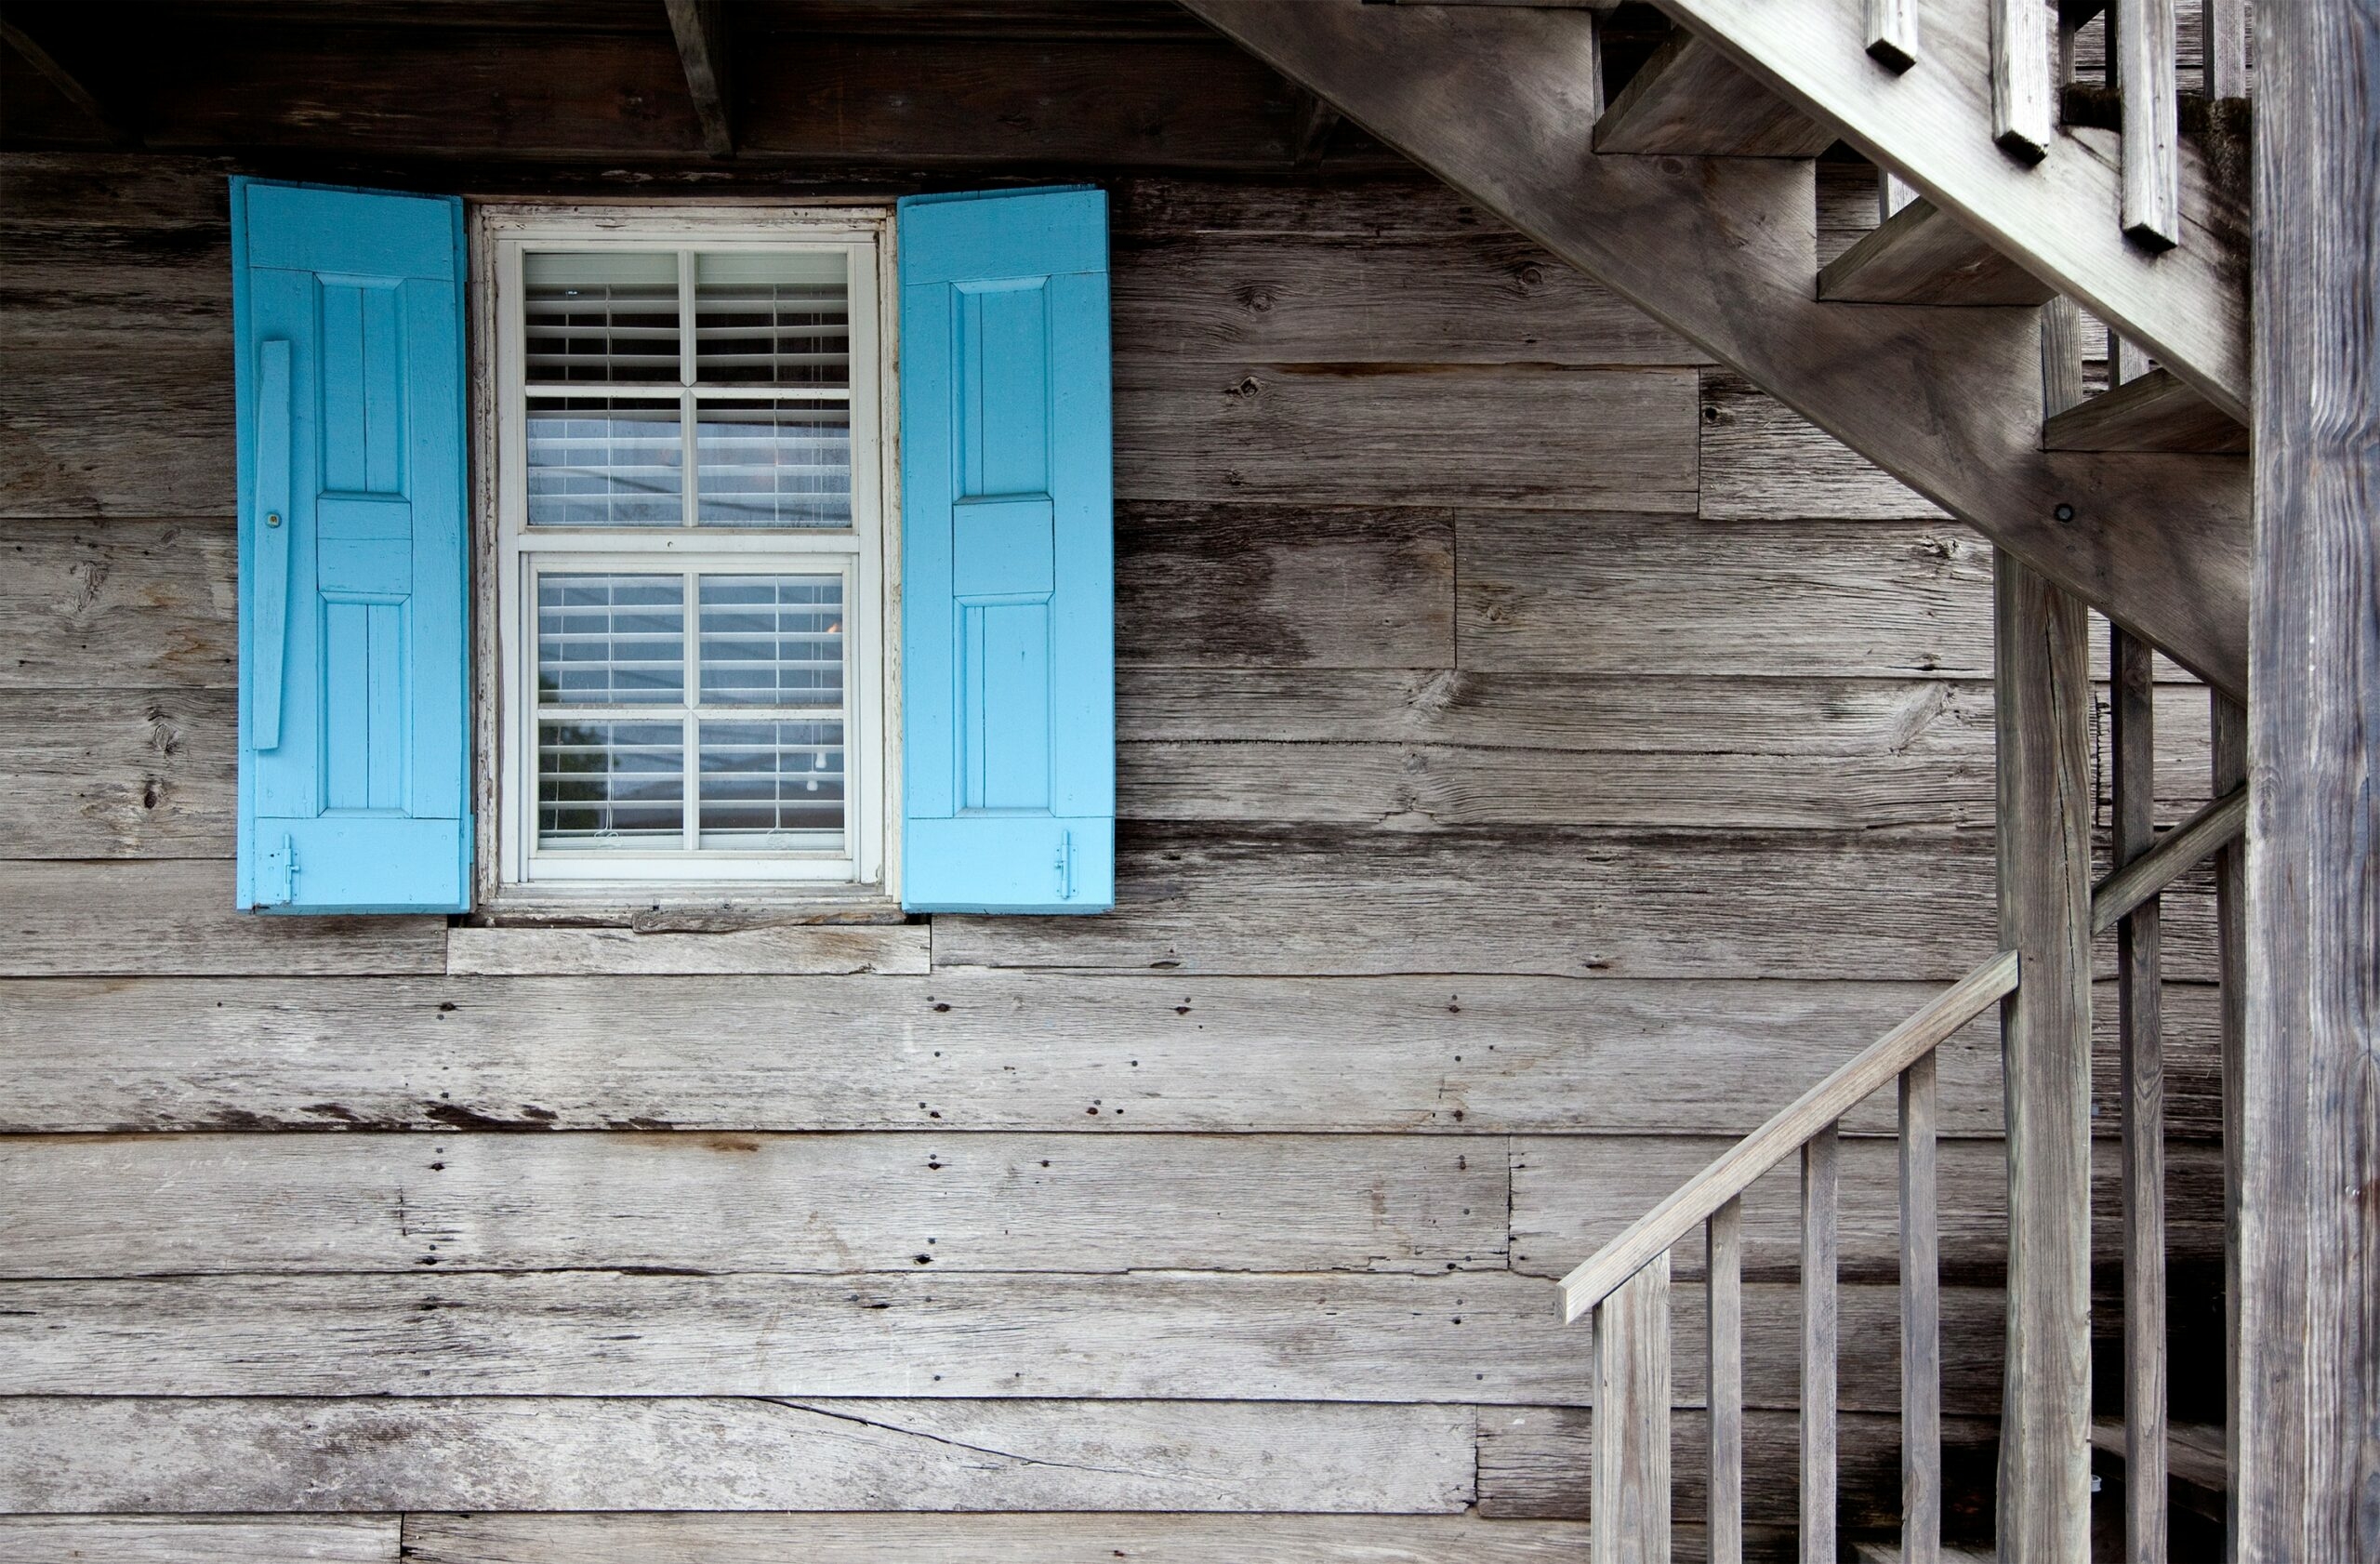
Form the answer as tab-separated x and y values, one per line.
858	551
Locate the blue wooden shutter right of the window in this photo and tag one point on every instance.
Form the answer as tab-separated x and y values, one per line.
1008	556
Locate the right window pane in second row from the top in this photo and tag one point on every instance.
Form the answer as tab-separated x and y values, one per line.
775	465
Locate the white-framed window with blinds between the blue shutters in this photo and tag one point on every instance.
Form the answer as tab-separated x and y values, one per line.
689	596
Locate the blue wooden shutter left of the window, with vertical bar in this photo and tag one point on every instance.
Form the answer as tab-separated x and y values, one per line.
356	746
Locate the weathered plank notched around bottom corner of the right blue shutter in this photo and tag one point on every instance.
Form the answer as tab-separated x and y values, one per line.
1553	901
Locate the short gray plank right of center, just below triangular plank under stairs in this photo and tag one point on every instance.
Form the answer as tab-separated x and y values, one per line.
1610	596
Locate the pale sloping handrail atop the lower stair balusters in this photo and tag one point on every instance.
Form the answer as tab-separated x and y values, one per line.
1815	1111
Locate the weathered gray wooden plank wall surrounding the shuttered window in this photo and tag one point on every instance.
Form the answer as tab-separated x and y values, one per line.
1539	761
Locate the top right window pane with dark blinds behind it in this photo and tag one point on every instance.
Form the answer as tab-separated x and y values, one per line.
775	320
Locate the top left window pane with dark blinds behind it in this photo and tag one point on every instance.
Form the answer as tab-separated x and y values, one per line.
610	320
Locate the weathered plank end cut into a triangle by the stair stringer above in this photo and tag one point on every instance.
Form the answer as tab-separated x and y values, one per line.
1767	463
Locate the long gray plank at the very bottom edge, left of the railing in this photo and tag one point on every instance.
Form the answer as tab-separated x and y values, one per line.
984	1539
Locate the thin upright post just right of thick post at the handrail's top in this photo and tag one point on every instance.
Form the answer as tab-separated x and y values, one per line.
2143	1075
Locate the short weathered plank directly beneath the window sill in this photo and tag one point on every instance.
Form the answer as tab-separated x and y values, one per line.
787	949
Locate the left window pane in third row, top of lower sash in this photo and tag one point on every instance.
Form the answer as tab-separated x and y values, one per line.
610	642
